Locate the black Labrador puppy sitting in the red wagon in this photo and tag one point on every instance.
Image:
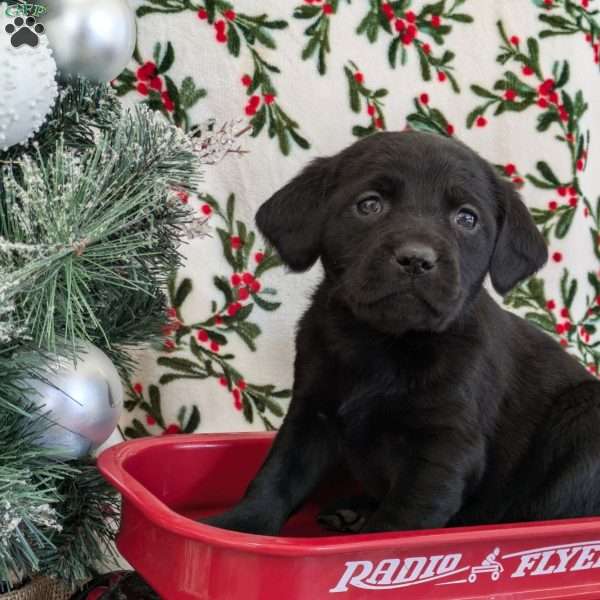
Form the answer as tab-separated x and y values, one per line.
445	407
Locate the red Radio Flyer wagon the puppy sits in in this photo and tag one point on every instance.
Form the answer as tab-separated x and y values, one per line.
168	482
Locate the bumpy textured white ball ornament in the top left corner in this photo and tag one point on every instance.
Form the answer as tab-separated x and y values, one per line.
28	86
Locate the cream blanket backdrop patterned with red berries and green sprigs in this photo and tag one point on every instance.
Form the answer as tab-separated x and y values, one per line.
518	80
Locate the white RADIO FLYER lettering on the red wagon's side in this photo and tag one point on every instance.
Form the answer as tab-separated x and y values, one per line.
447	569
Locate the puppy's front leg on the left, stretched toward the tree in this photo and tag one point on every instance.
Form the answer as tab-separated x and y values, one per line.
303	450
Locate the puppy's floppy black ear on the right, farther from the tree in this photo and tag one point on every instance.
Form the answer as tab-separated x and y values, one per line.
520	248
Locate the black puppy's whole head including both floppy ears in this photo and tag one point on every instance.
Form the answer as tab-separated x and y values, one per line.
407	226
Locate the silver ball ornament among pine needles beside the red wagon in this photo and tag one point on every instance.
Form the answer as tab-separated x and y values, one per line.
82	404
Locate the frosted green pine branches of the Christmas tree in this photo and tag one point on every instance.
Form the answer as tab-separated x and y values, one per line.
89	230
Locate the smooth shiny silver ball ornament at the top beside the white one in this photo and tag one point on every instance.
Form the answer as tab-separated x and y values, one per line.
91	38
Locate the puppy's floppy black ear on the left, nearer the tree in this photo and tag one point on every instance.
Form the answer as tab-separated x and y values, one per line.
292	219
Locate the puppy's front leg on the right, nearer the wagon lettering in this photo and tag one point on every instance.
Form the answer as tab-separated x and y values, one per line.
431	493
